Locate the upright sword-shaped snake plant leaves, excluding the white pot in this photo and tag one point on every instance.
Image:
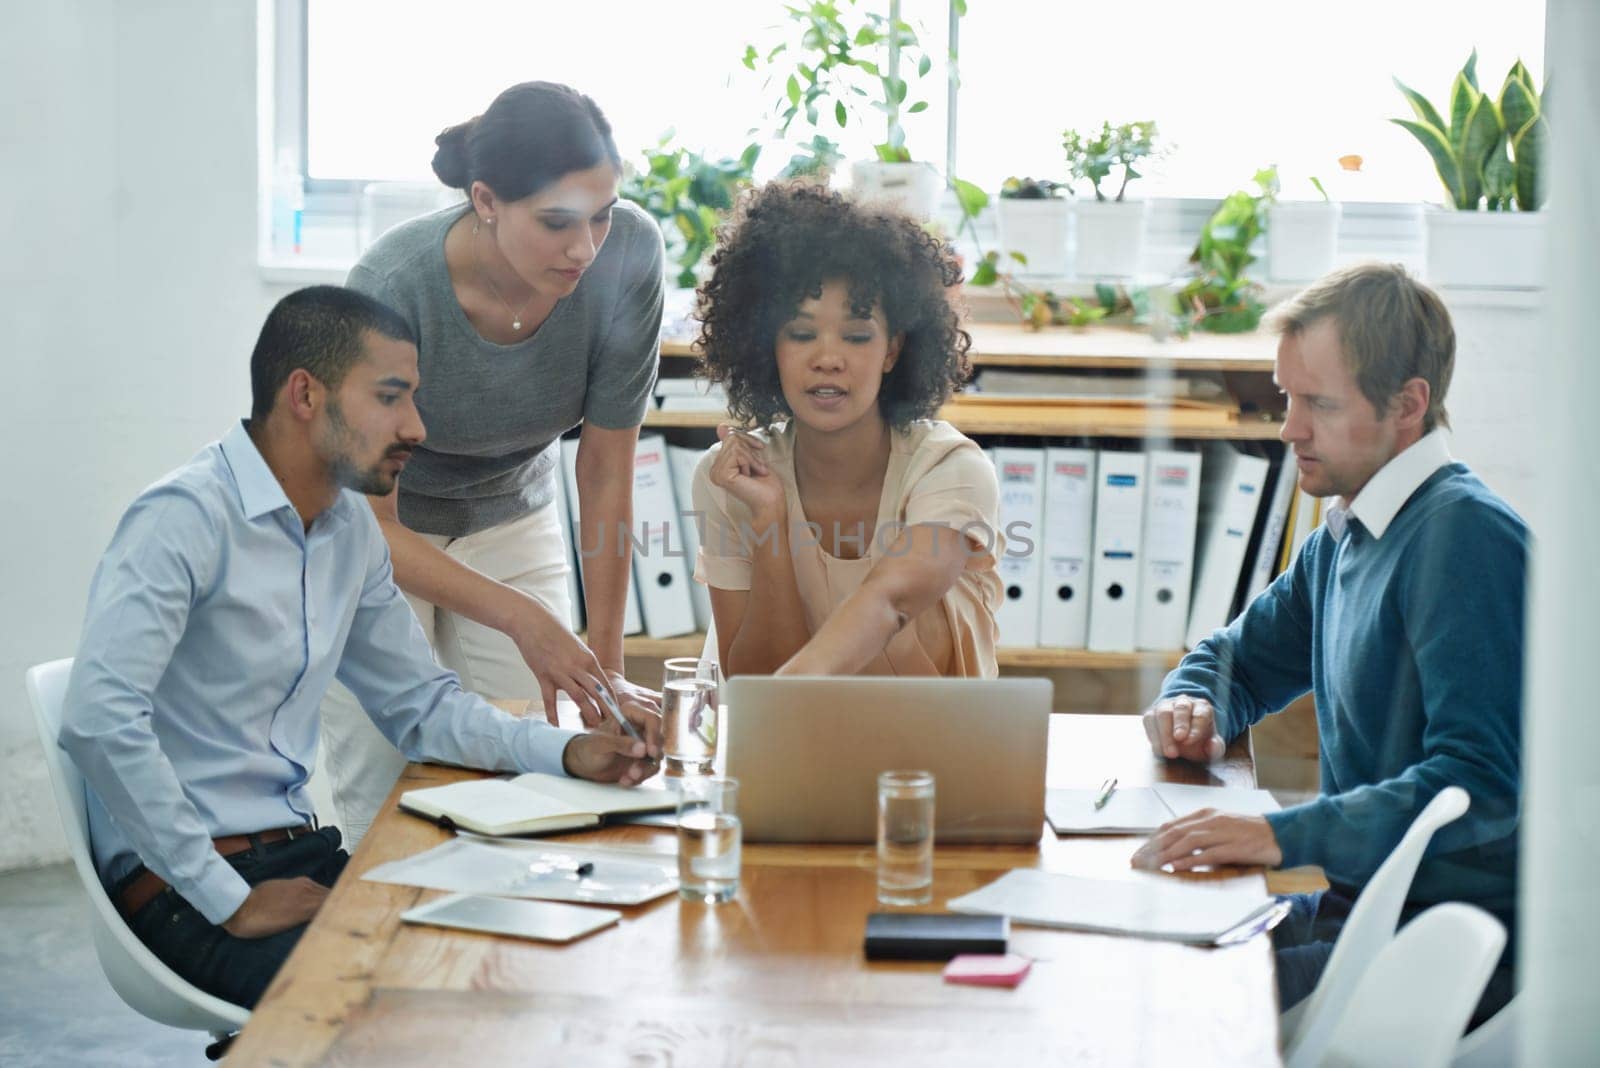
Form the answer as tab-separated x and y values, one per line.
1490	153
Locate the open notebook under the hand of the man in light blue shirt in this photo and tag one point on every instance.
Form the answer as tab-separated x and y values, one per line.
532	805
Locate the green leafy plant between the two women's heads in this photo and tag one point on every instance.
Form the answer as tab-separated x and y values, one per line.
689	194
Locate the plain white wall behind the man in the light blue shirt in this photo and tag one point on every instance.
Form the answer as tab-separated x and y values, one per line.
129	306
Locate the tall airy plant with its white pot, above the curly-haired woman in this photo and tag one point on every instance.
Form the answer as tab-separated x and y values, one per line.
844	66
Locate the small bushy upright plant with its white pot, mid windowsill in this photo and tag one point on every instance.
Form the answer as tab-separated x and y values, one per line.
1111	229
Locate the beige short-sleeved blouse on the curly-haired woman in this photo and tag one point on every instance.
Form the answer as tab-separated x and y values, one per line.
935	476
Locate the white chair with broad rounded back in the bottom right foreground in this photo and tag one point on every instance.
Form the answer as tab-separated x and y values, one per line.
1415	1000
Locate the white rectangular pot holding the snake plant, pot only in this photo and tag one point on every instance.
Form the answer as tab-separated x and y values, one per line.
1500	250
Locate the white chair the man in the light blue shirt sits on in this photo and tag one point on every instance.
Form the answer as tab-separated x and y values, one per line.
138	976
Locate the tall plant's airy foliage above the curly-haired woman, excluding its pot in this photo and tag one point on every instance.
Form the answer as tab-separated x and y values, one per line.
841	63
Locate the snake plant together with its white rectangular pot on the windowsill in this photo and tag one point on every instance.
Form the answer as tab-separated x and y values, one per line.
1489	159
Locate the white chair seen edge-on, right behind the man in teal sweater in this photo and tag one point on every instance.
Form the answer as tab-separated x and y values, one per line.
1305	1029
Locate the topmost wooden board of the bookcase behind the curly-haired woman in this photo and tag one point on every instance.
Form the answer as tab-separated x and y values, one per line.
1108	348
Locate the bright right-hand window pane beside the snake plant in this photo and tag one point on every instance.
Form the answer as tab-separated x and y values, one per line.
1231	87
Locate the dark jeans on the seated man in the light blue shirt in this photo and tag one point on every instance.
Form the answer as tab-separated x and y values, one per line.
238	970
